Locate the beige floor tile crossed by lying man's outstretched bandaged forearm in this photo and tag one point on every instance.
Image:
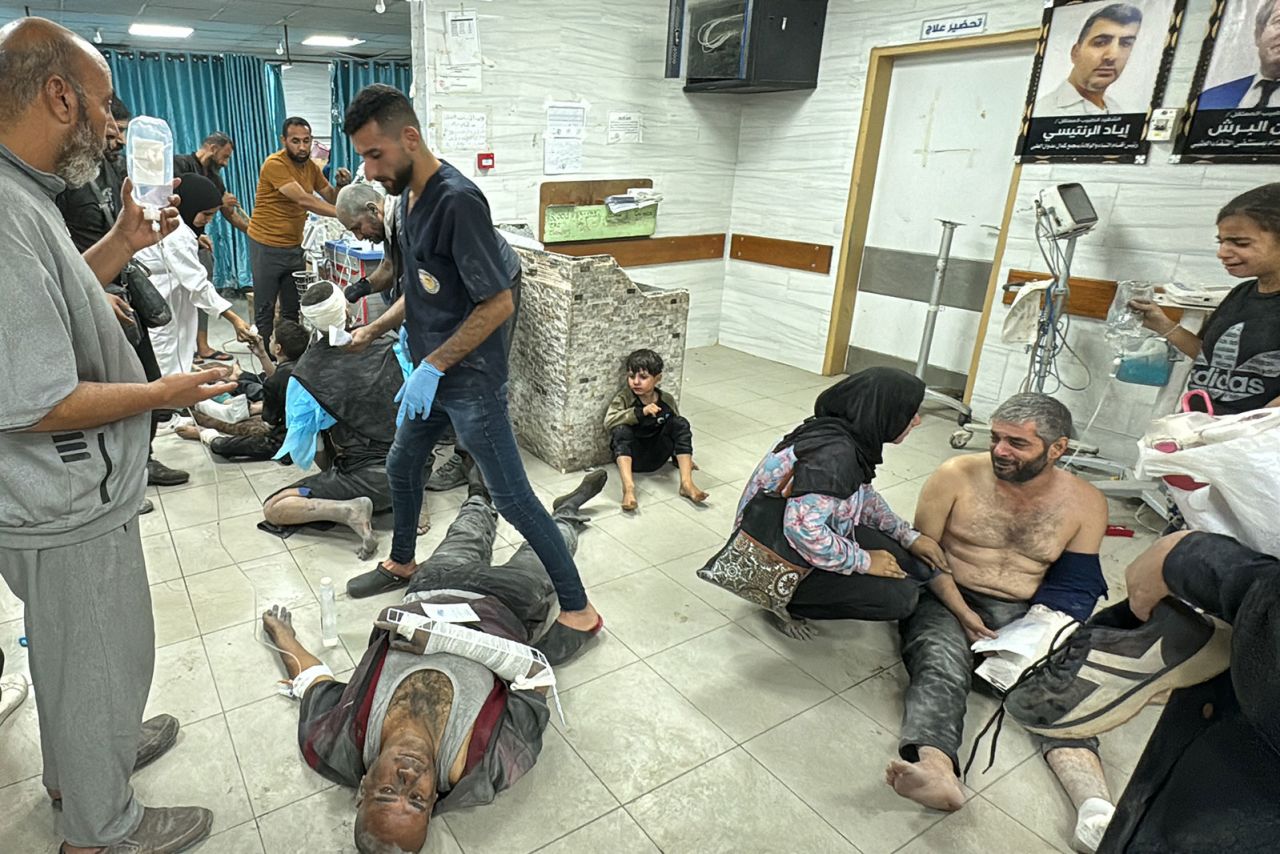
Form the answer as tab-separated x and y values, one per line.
245	670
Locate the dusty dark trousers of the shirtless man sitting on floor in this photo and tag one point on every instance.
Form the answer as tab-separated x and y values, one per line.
941	666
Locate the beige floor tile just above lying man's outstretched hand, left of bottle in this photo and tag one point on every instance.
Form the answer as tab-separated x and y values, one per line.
241	593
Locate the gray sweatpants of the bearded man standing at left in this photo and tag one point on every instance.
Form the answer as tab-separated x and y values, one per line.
92	654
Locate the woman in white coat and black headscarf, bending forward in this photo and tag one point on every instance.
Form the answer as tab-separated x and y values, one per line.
181	278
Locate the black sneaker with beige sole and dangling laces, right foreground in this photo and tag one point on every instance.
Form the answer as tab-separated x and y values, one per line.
1101	677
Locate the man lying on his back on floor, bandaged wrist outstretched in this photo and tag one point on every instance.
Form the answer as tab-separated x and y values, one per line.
438	718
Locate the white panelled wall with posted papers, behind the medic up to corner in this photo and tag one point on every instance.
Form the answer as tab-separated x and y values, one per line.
610	56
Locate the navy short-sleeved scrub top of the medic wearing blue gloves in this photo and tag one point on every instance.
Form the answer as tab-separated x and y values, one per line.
454	261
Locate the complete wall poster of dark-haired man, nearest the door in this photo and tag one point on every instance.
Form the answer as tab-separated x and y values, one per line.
1100	70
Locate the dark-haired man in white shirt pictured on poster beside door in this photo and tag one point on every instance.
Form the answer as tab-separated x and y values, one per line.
1099	58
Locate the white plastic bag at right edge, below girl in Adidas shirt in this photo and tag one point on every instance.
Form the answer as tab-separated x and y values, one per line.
1238	456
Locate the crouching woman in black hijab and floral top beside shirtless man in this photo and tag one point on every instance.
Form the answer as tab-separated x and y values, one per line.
868	564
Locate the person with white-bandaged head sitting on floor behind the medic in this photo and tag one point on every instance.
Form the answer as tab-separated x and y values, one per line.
348	401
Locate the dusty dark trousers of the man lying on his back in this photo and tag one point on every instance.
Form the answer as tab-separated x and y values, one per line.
463	561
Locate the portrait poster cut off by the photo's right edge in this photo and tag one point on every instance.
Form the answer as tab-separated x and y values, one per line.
1235	111
